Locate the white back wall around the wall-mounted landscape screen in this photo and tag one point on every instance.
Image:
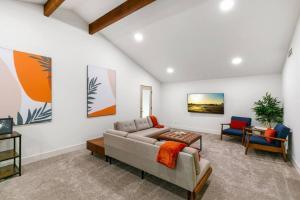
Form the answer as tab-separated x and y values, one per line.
240	94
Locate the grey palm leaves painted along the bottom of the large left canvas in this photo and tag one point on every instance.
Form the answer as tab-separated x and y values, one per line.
38	115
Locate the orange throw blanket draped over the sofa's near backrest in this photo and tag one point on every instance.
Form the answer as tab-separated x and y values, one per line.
168	153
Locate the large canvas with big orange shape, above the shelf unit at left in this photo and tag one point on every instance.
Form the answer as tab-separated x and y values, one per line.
25	87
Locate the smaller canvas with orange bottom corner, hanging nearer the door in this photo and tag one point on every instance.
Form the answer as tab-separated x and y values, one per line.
101	92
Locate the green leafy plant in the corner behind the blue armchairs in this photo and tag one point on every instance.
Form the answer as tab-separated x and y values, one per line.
268	110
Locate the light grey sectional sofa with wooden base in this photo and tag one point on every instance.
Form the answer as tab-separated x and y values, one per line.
133	142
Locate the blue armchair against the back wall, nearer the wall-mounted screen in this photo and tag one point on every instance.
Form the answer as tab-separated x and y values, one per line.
240	133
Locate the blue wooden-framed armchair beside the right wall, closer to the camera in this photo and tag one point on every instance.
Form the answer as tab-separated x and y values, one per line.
259	141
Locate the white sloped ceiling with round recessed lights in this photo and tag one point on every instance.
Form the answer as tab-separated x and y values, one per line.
197	39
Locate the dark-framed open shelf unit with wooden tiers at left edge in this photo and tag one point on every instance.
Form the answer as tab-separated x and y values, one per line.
12	154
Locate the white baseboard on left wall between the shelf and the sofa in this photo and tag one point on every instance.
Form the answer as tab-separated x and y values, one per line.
45	155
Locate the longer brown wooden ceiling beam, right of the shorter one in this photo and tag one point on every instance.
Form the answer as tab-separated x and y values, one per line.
117	13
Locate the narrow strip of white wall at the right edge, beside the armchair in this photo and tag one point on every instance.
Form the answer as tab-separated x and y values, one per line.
291	94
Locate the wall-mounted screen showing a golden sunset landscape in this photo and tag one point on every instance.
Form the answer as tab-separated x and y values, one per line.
206	103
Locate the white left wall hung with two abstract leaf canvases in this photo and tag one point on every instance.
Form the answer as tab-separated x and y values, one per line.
24	28
